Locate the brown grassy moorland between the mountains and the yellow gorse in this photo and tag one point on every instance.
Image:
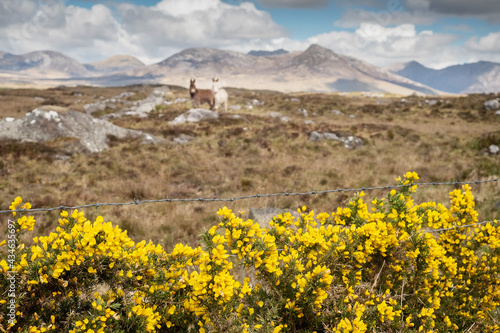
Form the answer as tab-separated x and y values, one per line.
253	154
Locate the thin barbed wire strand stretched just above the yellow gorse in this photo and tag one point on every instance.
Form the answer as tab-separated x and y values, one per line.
255	196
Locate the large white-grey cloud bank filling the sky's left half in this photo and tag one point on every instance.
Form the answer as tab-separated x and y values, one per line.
149	33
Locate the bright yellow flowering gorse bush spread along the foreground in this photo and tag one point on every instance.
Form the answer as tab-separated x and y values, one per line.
387	265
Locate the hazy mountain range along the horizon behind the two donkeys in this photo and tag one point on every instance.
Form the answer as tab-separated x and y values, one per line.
315	69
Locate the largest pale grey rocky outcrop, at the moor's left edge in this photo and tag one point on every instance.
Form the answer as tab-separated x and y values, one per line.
46	124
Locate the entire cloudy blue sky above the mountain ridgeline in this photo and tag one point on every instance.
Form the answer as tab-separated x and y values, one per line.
437	33
